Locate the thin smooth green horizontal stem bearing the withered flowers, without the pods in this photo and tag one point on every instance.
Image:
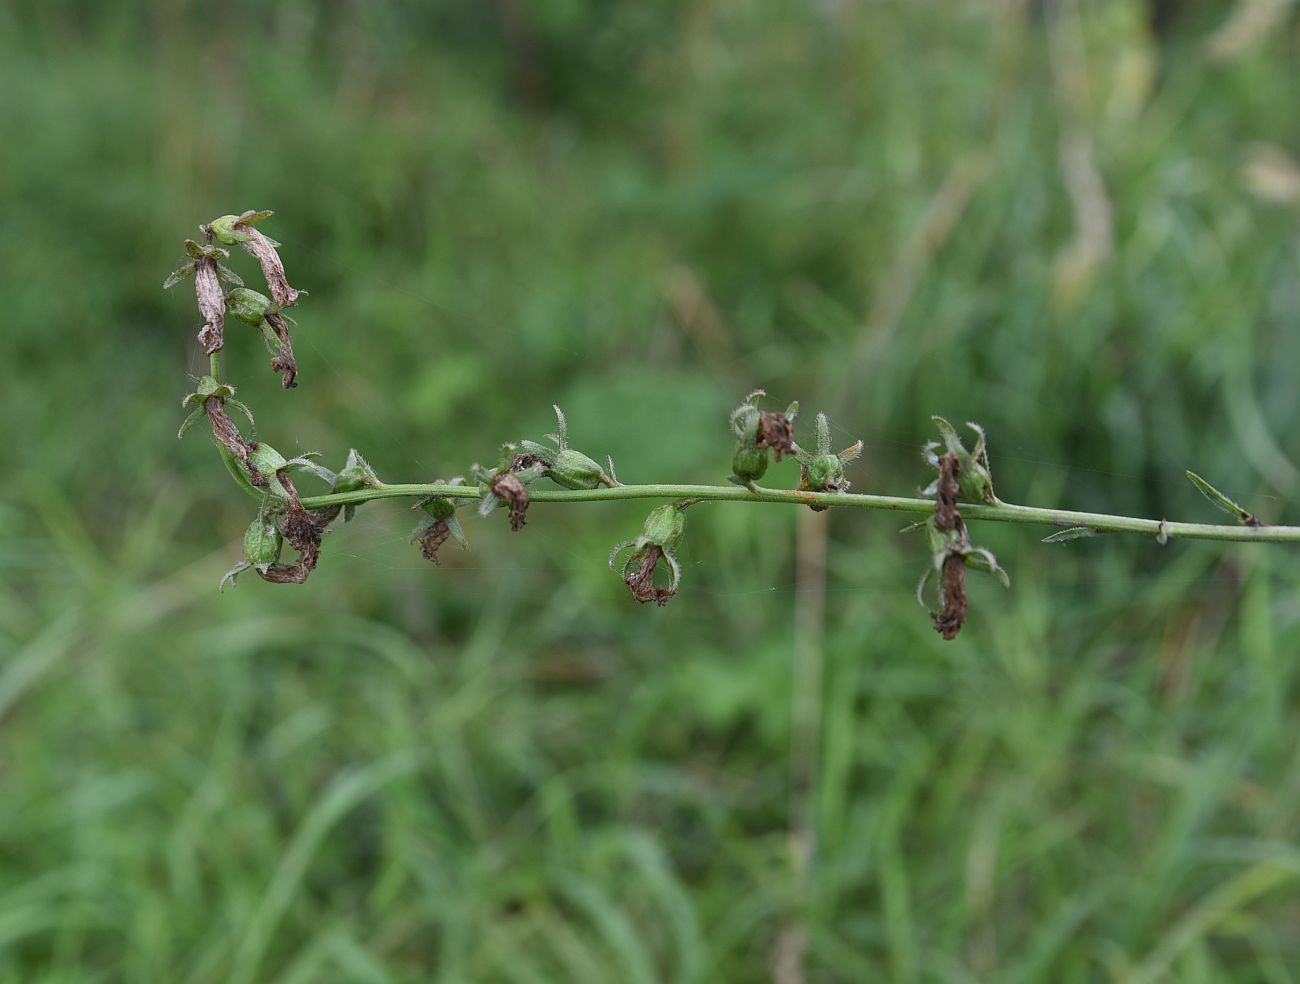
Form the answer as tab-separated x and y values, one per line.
1004	513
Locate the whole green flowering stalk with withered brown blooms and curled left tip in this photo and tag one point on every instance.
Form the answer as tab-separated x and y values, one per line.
961	492
